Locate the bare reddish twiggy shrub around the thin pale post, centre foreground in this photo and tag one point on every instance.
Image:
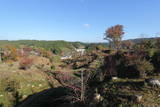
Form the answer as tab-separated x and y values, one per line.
78	84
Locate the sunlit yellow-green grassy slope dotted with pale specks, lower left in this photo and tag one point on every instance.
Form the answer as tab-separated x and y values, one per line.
30	81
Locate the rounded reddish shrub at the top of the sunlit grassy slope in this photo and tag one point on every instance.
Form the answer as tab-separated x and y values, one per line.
25	63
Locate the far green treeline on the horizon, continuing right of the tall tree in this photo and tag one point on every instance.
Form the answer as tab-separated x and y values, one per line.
61	46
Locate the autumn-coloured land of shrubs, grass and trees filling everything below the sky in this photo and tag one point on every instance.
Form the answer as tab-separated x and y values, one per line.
113	74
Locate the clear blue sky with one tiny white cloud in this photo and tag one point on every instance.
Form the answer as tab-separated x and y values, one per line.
77	20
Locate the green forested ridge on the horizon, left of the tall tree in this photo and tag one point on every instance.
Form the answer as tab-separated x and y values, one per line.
55	46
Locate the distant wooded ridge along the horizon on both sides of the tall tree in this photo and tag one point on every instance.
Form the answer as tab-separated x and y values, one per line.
61	44
